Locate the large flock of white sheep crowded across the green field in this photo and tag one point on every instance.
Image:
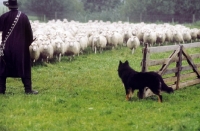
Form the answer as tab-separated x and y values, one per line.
58	38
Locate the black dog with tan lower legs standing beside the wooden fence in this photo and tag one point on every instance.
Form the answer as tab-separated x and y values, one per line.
133	80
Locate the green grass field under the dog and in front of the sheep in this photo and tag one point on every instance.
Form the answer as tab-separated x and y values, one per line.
87	94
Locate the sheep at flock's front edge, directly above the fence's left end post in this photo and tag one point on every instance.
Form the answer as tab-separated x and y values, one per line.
149	37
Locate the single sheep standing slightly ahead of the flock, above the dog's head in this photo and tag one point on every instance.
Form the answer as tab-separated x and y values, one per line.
133	43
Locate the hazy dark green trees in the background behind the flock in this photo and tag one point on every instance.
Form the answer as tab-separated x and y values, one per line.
114	10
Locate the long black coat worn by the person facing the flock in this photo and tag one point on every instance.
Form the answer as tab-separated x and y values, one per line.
16	53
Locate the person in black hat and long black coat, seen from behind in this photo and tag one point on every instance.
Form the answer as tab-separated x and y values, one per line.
17	36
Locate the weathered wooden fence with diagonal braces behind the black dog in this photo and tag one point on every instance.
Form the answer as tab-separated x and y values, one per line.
179	76
